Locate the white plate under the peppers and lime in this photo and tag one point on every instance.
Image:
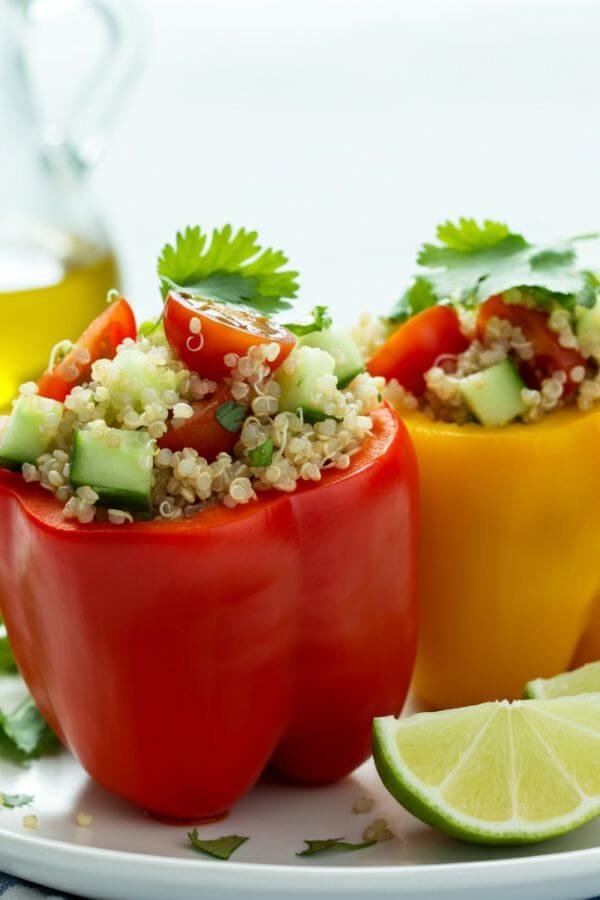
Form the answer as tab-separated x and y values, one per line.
127	856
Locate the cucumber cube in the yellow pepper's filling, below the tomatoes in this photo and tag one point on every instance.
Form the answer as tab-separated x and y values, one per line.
494	395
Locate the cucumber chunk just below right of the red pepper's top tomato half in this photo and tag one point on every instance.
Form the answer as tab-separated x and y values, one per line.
298	379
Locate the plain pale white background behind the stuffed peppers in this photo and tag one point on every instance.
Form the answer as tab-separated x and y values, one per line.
344	131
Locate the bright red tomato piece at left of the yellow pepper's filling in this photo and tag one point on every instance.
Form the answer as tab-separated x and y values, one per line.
414	347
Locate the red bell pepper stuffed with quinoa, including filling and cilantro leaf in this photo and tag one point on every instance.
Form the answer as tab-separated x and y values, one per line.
208	531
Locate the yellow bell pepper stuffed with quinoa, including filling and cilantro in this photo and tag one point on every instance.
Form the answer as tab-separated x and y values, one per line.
492	357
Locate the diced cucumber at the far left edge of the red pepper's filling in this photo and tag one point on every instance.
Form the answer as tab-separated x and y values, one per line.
23	439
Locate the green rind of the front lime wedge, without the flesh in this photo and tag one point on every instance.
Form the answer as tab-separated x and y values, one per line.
426	803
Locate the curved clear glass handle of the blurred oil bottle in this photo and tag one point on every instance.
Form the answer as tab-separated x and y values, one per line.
77	143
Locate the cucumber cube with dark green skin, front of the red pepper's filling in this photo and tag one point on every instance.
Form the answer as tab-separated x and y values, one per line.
122	475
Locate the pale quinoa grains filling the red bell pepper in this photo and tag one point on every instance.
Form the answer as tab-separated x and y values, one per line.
184	482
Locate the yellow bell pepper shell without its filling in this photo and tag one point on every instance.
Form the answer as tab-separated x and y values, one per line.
510	554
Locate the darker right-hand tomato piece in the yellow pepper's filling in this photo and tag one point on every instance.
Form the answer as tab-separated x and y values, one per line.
549	356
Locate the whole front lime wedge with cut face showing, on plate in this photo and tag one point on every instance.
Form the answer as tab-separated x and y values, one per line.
498	773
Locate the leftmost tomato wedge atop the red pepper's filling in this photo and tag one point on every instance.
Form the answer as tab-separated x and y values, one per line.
101	339
